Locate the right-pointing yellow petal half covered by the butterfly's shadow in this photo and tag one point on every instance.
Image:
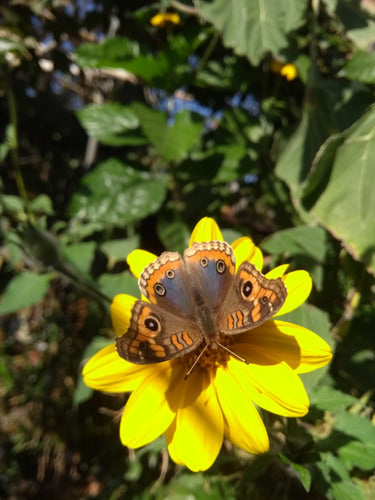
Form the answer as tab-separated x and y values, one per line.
302	349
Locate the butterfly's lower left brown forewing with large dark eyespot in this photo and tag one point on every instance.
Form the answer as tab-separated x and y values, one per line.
155	335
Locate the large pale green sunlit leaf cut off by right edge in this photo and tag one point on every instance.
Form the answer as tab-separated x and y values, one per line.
347	204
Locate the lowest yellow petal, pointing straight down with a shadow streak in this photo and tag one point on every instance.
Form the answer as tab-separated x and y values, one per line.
195	438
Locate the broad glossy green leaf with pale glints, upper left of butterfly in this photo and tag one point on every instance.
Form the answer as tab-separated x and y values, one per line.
115	194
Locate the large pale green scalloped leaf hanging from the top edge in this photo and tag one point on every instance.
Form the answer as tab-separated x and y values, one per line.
254	27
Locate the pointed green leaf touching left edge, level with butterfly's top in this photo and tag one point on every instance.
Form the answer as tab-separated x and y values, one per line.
24	290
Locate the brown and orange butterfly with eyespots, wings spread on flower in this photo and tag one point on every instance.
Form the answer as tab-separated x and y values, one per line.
196	300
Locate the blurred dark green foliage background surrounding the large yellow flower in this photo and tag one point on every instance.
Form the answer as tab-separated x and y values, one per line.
121	130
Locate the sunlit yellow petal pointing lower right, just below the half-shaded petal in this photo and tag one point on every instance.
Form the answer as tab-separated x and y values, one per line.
274	387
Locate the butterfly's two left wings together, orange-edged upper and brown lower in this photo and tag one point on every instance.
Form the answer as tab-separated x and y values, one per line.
164	328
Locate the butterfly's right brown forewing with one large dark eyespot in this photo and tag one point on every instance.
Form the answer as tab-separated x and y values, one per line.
251	300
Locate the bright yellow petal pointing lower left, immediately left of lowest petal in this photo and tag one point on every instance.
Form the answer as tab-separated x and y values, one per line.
147	414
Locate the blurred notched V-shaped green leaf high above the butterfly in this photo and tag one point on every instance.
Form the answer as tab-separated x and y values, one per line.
172	141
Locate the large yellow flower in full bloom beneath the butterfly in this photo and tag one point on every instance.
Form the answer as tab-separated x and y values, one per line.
220	396
